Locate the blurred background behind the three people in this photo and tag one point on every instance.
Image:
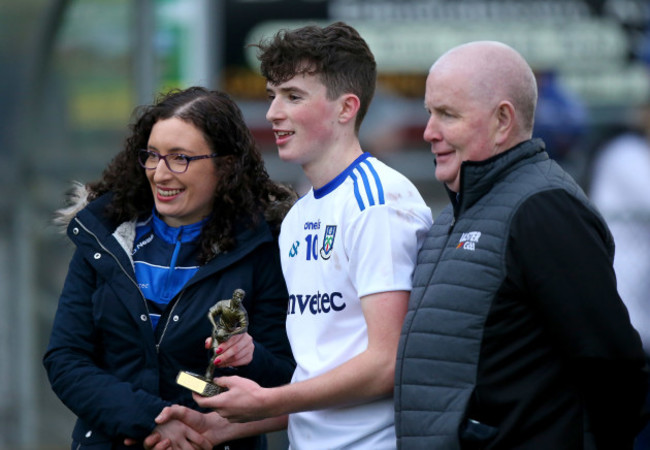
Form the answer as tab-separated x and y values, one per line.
71	73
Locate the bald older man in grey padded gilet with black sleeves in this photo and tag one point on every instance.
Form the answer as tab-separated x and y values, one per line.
516	337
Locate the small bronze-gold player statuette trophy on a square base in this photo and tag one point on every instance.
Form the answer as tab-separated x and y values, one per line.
228	317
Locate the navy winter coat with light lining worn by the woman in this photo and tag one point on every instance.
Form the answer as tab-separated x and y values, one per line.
107	363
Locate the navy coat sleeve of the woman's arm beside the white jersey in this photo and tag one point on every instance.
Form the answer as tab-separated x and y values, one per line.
273	362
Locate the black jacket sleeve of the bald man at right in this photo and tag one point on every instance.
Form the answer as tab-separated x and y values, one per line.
563	253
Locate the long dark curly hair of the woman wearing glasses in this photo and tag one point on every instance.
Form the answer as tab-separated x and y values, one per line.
245	192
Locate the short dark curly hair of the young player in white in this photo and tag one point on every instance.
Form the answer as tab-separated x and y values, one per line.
336	53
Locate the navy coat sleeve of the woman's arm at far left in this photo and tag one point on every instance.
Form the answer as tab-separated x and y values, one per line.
80	378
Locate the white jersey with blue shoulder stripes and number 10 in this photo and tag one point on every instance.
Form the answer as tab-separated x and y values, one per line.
355	236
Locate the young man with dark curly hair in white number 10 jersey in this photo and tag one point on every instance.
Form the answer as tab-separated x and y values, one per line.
348	250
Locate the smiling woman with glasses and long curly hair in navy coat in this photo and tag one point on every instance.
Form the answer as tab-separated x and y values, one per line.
182	217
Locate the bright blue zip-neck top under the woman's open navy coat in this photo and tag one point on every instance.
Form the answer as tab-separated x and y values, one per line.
165	258
